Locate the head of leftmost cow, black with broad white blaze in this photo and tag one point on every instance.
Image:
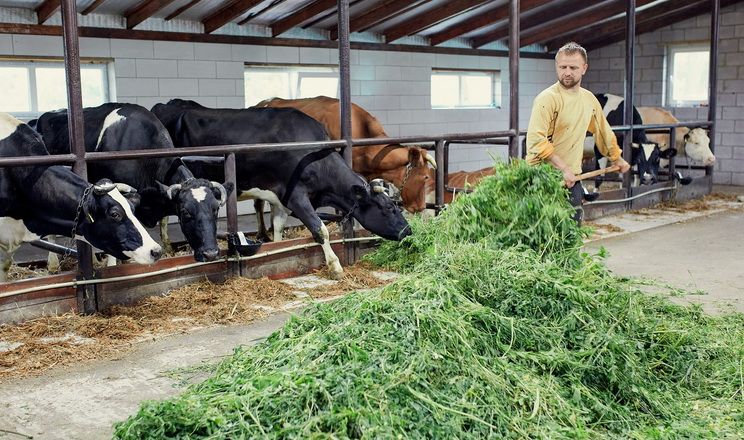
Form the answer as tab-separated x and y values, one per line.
106	221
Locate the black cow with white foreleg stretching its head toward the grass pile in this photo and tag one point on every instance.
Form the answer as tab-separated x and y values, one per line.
293	182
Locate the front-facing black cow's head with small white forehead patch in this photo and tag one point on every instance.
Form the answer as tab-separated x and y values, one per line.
197	202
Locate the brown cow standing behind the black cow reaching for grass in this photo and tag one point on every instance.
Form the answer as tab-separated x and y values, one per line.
404	167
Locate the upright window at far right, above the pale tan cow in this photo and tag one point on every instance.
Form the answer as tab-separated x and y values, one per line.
687	75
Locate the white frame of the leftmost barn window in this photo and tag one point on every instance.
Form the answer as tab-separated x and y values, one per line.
31	64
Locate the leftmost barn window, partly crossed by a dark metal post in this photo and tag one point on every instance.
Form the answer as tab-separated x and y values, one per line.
35	86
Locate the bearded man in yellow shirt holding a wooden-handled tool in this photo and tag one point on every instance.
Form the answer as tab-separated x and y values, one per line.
561	116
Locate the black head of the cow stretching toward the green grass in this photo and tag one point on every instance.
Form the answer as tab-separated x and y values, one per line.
377	212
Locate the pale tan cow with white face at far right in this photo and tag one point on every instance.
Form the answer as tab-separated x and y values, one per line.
695	143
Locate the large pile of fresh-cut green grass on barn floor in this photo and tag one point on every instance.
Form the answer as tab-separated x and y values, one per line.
487	335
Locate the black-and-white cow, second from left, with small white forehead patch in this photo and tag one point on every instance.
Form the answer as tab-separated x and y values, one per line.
166	185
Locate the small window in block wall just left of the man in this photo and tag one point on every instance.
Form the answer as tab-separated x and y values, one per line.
453	88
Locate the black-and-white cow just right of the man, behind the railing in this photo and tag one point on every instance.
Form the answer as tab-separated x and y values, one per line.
646	154
